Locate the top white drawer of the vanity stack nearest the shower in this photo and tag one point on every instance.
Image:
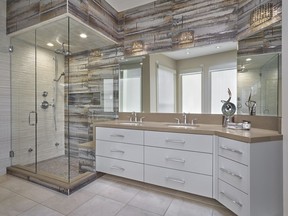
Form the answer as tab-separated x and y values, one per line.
119	135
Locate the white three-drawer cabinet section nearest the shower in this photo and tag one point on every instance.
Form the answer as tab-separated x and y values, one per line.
120	152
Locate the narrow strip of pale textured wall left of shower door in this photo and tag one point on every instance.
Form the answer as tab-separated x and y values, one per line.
4	93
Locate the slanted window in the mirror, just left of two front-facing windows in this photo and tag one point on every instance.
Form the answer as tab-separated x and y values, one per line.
166	82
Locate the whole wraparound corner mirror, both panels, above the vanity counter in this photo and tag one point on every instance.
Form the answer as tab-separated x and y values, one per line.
195	80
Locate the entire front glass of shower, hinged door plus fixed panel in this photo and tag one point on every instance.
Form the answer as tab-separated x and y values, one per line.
38	66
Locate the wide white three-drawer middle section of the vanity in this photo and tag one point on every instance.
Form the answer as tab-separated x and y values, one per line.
179	161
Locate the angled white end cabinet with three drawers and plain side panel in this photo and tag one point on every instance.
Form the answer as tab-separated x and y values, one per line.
250	177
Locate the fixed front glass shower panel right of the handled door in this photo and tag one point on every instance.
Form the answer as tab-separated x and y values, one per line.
52	42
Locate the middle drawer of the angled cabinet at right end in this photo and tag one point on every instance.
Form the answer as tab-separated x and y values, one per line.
234	173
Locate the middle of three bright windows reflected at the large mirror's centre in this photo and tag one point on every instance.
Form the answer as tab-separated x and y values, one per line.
191	92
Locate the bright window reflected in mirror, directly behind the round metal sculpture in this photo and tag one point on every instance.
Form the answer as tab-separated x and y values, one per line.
221	80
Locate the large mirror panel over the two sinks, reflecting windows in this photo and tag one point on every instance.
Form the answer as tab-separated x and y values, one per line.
191	81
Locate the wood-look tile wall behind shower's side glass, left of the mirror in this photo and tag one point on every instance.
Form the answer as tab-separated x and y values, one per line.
87	99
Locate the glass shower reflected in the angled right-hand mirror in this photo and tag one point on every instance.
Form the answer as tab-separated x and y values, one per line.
258	84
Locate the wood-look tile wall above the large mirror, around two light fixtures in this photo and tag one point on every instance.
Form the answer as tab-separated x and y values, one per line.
158	24
